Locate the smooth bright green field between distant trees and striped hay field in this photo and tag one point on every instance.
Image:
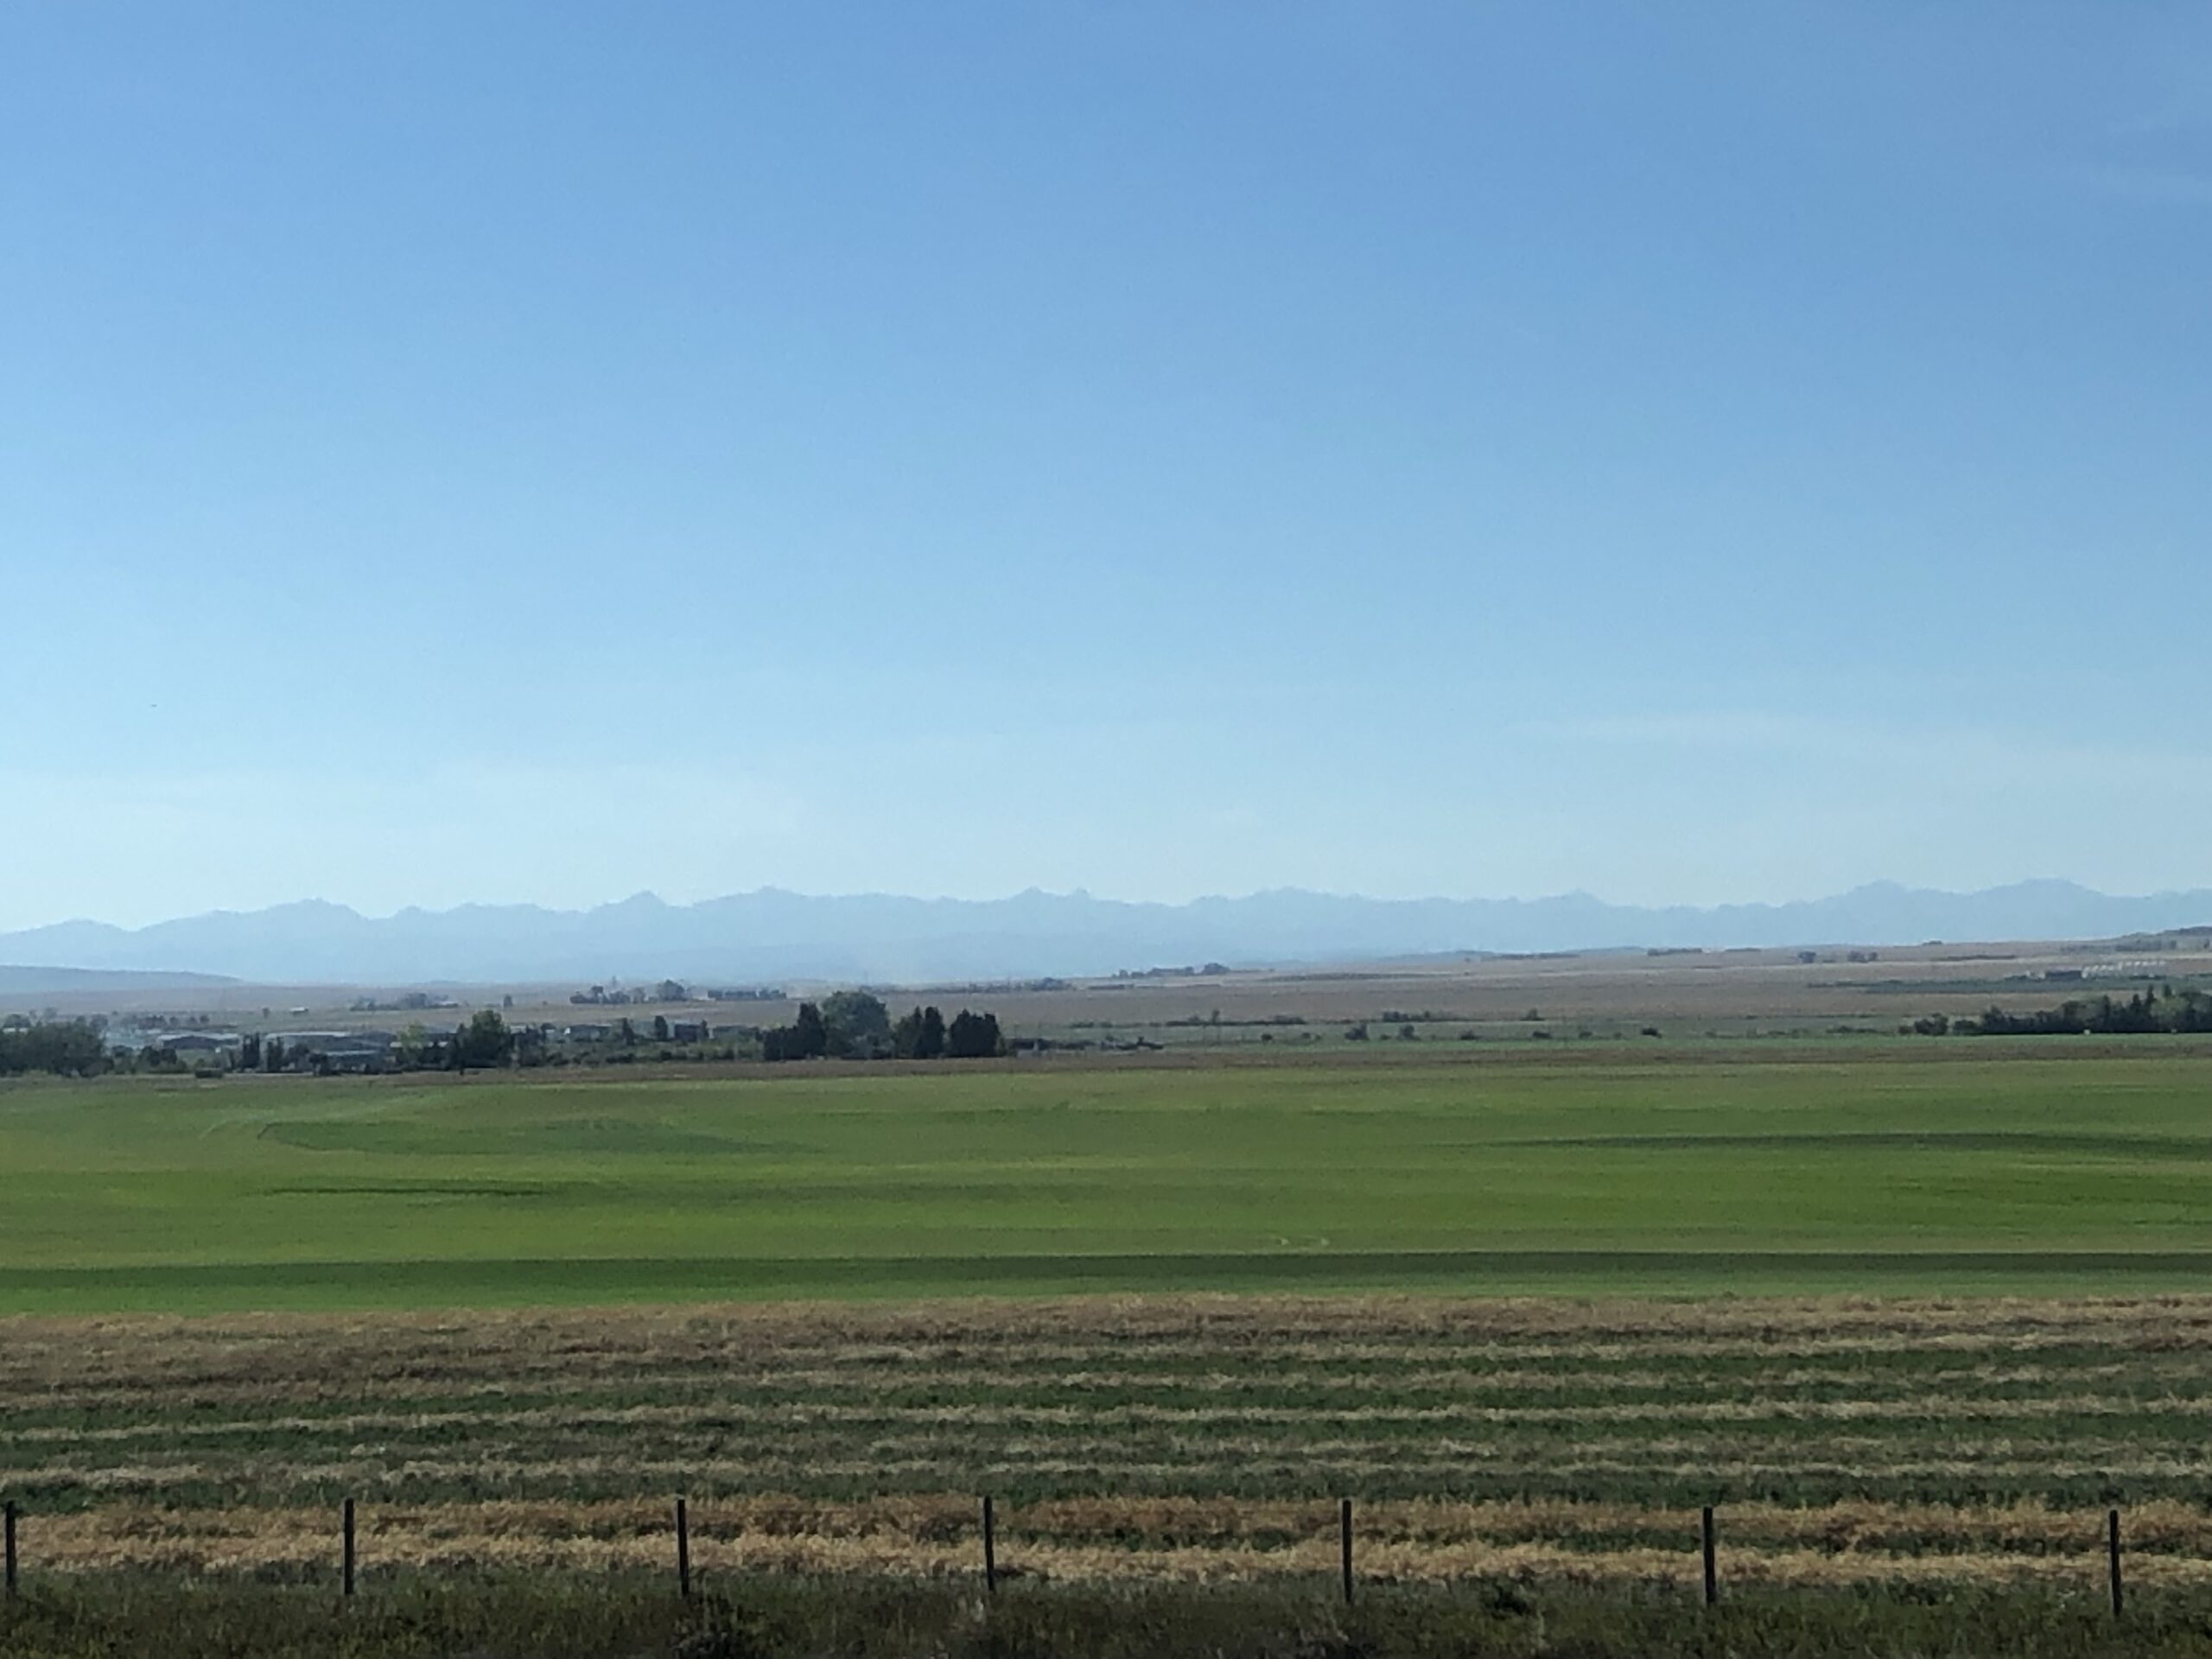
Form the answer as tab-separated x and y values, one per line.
1884	1169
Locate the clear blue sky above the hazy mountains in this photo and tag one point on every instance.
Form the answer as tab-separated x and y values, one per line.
539	452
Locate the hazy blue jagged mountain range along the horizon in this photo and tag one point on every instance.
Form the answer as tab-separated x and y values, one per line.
773	935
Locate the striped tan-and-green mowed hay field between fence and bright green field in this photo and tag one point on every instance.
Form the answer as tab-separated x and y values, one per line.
1968	1443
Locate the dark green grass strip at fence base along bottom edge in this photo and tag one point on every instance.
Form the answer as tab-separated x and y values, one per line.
837	1620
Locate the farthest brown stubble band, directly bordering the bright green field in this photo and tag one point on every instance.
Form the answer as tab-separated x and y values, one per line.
1308	1331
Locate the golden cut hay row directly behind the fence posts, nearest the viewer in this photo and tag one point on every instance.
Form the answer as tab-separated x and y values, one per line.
935	1538
